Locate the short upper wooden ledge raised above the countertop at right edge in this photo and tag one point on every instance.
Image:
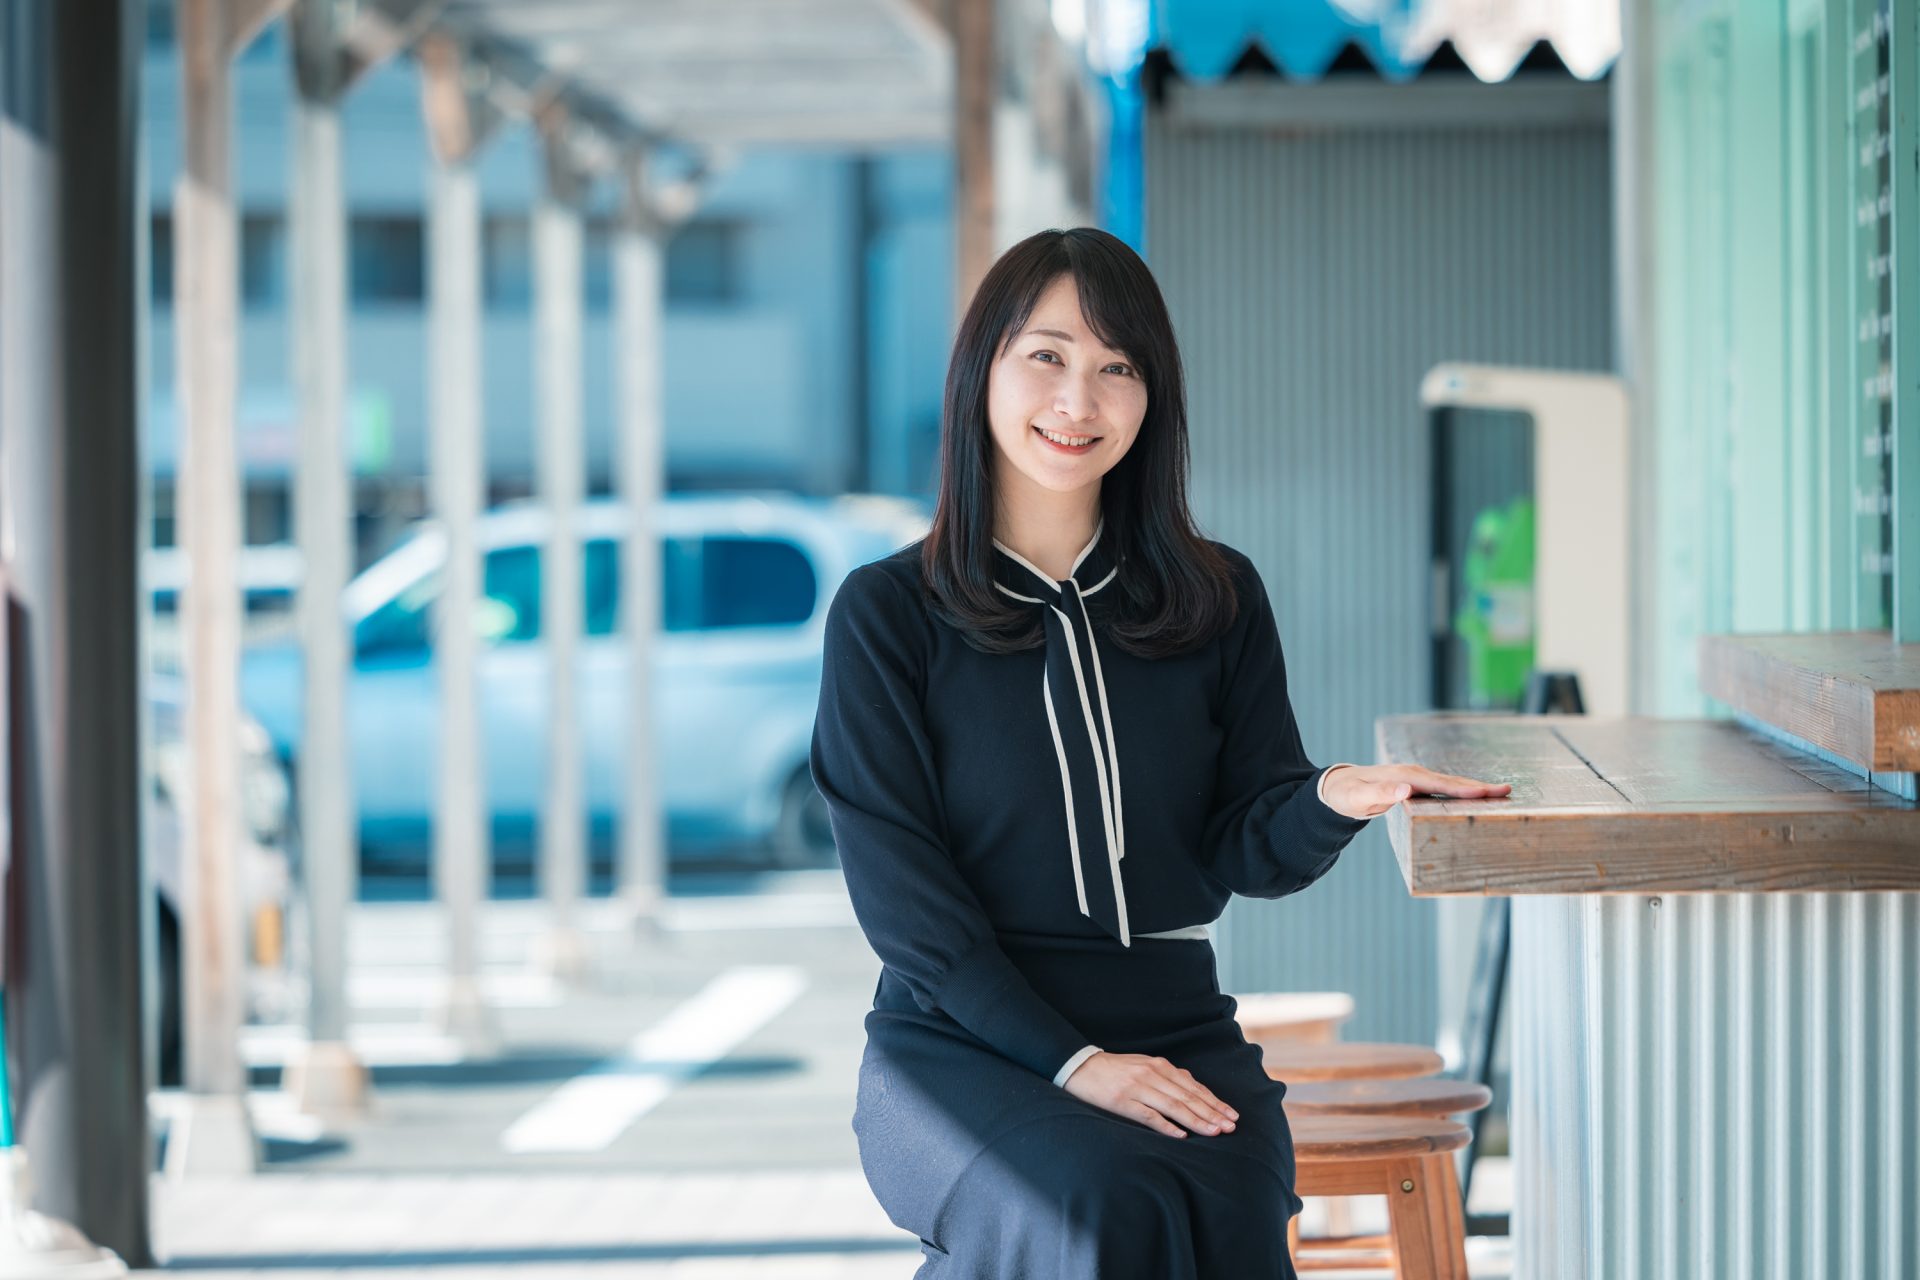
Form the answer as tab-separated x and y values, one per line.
1854	694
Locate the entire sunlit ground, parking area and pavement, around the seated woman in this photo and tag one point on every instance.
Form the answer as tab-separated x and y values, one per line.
684	1112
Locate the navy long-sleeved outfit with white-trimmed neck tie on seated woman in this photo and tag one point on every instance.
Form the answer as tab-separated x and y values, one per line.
1015	830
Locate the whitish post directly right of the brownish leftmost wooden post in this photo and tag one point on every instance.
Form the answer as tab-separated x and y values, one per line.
327	1078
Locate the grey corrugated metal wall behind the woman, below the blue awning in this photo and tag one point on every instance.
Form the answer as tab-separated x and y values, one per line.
1314	279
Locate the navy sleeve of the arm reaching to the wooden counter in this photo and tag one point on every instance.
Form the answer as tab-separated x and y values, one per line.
1270	832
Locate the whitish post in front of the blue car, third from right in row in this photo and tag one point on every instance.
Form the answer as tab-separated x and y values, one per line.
458	479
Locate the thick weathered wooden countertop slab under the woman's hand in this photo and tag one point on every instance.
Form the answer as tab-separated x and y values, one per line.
1639	805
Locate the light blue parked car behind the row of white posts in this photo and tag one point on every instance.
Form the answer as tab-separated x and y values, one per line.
746	586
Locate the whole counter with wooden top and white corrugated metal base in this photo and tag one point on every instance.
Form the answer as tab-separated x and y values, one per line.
1714	1064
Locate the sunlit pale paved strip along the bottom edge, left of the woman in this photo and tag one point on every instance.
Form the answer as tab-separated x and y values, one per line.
786	1223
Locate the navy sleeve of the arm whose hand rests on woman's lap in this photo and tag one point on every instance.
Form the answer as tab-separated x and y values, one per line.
873	763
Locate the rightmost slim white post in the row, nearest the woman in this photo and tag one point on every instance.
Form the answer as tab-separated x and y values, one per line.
640	446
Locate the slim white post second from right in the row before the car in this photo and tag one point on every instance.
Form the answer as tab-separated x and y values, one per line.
562	483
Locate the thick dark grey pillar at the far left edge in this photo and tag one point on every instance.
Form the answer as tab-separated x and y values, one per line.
70	817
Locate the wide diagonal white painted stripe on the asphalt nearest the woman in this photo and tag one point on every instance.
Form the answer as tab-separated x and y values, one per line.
592	1110
